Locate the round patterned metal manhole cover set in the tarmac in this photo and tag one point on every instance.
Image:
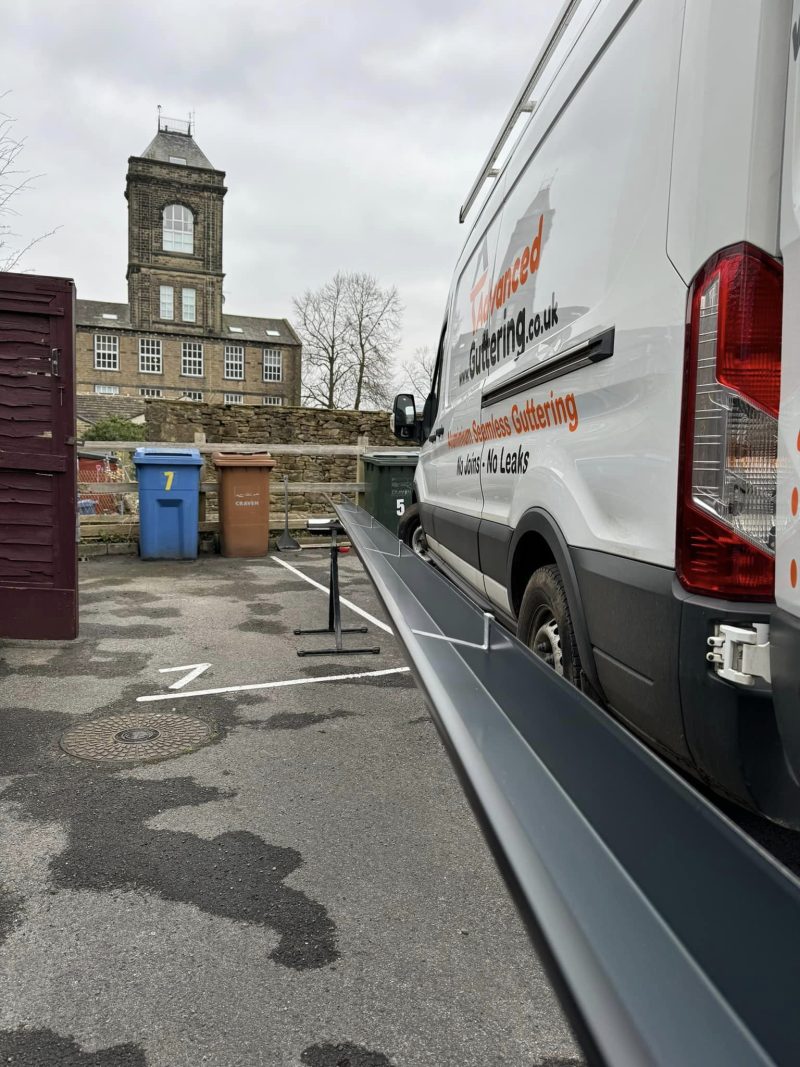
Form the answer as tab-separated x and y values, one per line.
141	736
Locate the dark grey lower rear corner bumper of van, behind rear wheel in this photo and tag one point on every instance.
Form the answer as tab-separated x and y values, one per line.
650	641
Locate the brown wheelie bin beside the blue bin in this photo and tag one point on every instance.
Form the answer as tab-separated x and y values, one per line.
245	503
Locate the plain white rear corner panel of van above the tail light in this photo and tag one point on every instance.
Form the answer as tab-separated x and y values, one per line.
727	158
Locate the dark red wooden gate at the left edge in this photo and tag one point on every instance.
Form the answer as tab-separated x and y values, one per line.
39	552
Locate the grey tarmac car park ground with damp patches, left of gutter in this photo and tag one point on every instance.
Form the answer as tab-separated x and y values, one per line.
302	884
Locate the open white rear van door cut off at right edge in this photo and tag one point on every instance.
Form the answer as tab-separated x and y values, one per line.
786	629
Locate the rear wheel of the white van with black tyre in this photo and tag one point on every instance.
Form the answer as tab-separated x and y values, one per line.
546	625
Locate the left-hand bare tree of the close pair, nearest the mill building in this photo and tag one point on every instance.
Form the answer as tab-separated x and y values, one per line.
322	321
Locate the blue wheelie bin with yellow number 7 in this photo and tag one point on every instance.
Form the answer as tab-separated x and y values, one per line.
169	502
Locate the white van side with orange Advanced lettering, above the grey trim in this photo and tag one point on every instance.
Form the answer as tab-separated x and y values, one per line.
600	261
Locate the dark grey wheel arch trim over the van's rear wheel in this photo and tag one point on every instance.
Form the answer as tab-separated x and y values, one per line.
538	542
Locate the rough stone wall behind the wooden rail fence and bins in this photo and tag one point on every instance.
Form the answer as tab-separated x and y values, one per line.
180	422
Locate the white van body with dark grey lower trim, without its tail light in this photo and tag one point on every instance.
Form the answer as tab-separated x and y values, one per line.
655	142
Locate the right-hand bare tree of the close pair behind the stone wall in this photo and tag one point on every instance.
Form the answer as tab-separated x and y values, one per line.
375	317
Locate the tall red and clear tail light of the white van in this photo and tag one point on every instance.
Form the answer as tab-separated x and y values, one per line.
729	449
